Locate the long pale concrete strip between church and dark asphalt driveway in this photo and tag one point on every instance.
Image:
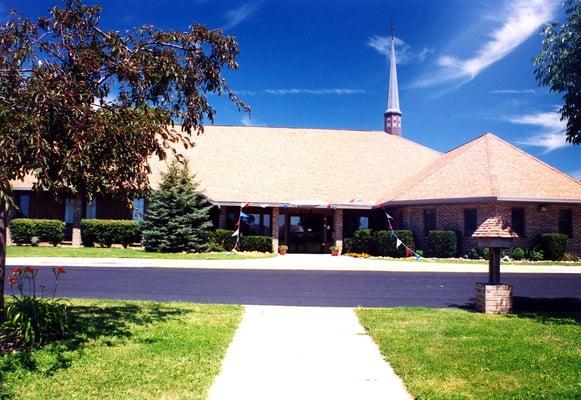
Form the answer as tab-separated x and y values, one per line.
318	262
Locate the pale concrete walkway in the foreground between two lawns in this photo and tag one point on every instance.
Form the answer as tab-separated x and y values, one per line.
304	353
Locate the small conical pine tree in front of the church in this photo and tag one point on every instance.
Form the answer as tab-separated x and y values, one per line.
178	216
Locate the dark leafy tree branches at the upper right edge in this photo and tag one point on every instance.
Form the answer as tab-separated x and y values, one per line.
558	66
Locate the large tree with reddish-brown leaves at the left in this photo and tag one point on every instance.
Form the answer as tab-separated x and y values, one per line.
82	108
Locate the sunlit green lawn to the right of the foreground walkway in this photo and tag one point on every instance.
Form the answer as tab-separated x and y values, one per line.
455	354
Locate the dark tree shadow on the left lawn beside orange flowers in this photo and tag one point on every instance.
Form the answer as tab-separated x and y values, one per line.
107	323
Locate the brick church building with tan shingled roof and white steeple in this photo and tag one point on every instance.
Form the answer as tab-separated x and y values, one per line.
312	188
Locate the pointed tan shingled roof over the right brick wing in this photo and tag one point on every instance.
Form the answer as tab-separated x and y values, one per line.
488	168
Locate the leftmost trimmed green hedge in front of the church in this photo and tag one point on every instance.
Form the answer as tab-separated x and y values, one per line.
22	230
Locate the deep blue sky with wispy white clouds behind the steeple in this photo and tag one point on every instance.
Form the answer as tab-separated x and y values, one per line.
464	66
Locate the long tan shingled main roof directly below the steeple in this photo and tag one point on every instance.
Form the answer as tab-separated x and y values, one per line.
301	166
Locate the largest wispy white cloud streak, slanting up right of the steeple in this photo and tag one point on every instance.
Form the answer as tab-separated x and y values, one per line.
519	20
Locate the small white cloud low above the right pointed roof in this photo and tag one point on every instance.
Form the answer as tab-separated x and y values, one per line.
551	135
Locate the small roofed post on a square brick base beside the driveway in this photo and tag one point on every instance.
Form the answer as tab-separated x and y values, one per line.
494	297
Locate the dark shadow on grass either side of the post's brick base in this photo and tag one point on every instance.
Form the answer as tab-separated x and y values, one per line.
564	310
